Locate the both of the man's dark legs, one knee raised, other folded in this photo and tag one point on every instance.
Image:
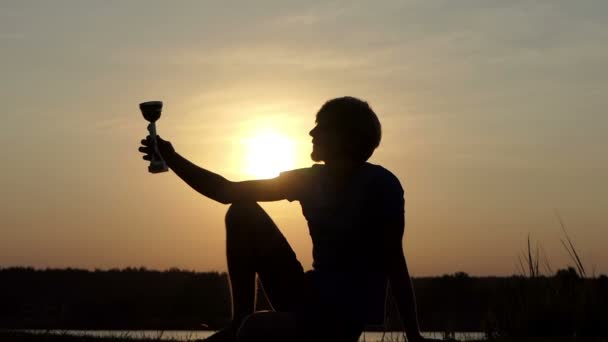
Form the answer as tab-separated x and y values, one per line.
254	244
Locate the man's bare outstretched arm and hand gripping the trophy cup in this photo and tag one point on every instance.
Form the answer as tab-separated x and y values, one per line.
211	184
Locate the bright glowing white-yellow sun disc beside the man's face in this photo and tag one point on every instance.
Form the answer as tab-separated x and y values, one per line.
268	153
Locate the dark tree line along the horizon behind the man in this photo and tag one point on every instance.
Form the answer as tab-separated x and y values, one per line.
138	298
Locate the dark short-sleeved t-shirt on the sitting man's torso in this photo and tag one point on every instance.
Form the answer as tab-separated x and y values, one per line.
344	226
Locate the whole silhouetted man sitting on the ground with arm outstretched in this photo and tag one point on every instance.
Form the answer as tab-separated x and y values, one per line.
355	214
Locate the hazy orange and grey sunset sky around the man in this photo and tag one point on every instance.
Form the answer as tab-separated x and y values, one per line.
494	116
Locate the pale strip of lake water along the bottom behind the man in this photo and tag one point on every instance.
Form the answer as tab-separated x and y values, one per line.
185	335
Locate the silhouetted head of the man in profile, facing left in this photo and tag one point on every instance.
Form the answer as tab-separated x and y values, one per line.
347	128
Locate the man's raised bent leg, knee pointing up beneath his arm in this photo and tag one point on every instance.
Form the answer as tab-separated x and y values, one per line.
254	244
